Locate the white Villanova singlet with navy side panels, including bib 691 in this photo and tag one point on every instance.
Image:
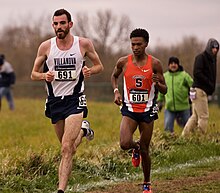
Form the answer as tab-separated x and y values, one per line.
67	67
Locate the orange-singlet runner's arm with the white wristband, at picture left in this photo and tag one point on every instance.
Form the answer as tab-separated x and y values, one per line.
120	65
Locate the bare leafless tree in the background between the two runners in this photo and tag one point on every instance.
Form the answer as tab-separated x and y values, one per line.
110	34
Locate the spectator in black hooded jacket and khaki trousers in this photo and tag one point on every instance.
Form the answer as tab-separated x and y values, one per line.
204	81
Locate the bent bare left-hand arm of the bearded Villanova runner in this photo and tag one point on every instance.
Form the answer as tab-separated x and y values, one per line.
42	53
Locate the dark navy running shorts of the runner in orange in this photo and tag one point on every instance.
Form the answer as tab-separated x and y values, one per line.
140	117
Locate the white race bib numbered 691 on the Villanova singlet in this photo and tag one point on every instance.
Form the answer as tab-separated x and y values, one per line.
65	73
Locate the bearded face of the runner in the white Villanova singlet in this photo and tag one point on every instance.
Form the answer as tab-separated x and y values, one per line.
61	26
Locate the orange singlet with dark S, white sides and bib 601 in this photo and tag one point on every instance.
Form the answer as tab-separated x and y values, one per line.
138	87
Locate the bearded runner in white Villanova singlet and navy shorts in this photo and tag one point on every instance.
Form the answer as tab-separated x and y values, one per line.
62	59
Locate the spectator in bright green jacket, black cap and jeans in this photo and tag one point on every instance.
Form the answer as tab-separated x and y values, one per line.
176	101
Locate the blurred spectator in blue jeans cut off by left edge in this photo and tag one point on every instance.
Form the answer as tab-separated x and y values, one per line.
7	78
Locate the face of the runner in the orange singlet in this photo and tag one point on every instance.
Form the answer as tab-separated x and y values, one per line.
138	45
